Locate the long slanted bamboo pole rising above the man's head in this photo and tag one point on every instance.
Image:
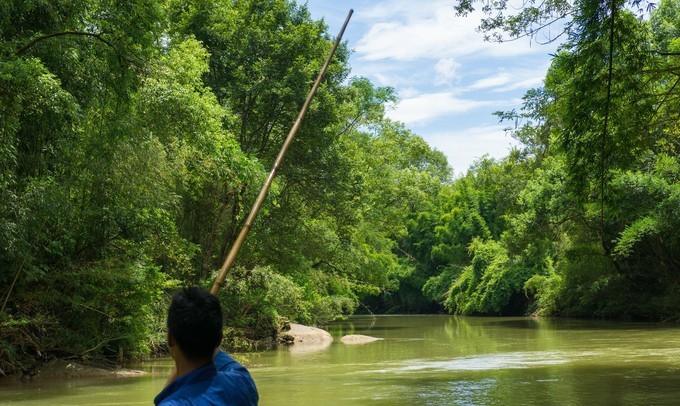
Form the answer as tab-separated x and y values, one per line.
219	281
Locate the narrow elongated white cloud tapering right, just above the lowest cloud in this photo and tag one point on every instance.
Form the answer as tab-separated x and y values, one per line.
426	107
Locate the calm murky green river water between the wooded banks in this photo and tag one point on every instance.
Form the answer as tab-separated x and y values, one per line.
433	360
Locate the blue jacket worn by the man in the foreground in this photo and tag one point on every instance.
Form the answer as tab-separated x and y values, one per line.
222	382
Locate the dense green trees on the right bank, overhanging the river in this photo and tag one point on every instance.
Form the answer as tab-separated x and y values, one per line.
582	219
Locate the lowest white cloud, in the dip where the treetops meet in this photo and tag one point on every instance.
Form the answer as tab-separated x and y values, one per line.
463	147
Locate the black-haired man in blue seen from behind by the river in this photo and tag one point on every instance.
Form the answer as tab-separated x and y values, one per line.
204	375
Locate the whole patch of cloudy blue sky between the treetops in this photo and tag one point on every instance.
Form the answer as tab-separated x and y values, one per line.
449	81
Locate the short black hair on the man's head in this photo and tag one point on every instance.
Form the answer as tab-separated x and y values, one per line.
195	321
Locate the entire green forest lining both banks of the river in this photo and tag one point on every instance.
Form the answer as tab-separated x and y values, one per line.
134	136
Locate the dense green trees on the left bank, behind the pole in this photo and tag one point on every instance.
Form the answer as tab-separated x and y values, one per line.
134	136
